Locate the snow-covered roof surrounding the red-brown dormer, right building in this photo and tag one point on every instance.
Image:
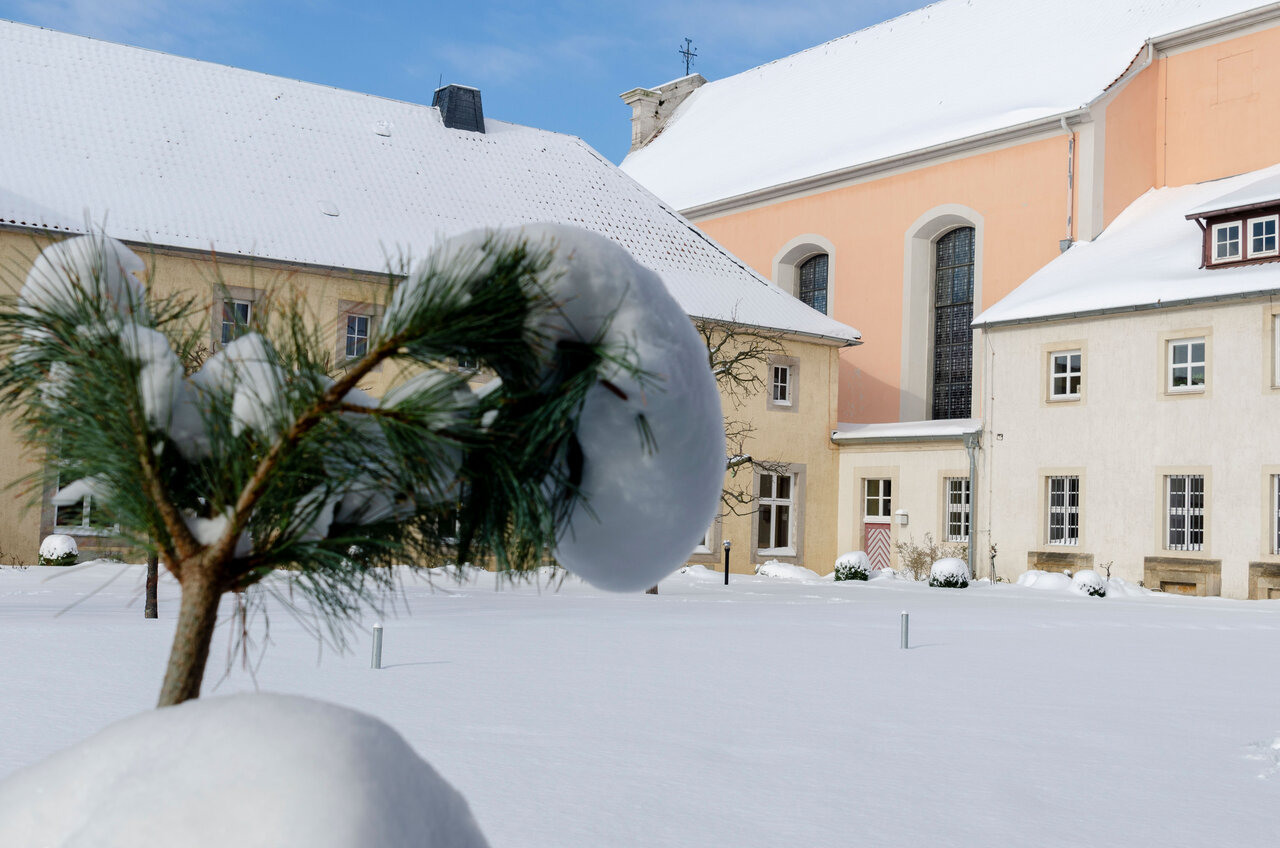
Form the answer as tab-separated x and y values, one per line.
1149	257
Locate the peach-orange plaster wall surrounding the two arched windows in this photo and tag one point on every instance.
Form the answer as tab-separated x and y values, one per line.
1021	193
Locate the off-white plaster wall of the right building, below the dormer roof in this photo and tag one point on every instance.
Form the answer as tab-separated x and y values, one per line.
1127	434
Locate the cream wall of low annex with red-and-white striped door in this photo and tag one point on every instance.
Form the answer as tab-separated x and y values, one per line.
917	472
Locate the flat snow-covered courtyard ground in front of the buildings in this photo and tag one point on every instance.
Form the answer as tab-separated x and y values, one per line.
772	713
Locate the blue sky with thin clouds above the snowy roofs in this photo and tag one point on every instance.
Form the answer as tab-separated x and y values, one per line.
557	65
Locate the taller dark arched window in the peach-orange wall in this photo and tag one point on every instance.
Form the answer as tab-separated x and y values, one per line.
953	312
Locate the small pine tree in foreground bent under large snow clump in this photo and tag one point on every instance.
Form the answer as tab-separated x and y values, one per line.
266	457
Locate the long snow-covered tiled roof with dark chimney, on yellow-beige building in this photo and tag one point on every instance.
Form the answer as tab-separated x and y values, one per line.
196	156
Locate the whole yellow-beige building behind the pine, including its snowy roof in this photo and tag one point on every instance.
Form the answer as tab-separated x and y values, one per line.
220	174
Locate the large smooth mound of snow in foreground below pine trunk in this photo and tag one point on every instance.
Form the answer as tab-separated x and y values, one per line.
298	773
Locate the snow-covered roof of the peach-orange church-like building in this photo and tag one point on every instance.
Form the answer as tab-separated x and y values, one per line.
950	71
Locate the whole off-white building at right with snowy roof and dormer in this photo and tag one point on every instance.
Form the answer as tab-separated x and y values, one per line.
1137	382
